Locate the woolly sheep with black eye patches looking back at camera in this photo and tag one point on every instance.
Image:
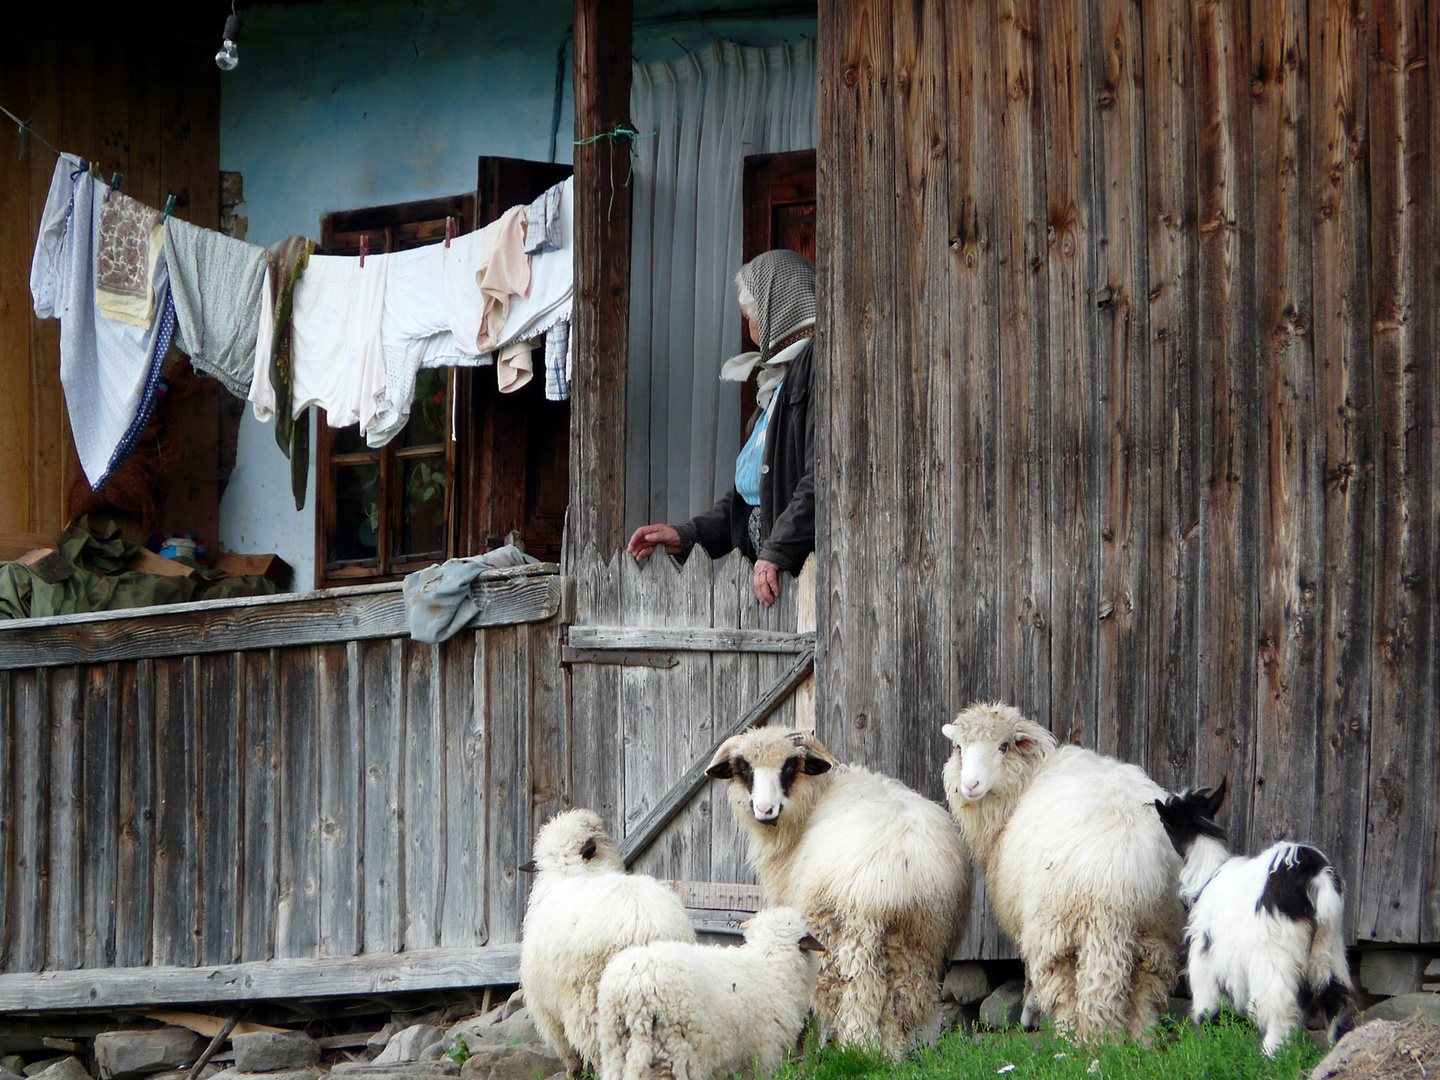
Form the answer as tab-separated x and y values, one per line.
879	872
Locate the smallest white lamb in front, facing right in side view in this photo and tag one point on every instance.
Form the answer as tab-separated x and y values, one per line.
706	1012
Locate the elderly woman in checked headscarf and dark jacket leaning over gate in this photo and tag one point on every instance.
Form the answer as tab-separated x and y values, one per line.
770	513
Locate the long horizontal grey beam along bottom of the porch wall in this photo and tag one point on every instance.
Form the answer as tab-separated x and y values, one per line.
424	970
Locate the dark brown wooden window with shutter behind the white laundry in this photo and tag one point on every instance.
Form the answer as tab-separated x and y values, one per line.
473	467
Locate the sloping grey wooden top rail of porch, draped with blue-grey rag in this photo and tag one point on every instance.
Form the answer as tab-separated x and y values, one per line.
254	623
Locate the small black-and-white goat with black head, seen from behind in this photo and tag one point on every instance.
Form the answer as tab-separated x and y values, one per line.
1265	931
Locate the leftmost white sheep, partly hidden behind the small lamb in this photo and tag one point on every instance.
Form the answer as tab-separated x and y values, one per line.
584	909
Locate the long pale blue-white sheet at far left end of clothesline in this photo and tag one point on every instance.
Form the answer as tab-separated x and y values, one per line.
110	369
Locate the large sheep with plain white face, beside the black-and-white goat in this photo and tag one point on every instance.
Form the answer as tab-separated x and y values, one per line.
1078	869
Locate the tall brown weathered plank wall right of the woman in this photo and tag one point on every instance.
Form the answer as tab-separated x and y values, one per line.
1130	313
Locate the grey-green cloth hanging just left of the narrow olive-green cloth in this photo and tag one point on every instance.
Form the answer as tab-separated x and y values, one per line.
217	284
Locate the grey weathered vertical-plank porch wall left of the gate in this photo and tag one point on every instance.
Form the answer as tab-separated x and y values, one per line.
356	797
